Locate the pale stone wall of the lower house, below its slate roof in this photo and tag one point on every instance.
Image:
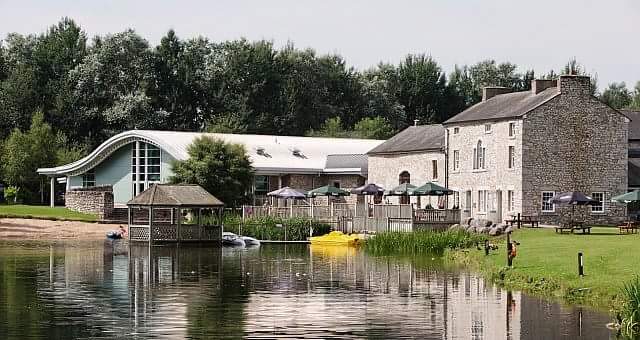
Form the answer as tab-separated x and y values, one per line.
384	170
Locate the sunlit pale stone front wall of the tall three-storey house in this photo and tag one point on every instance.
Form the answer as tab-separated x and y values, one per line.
496	178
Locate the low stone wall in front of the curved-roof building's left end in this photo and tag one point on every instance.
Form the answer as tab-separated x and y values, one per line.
94	200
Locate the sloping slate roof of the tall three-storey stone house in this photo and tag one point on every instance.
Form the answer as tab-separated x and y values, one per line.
504	106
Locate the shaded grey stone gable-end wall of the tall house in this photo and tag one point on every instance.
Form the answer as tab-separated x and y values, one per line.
574	143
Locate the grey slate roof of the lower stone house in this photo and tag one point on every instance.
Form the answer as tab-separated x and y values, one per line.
413	138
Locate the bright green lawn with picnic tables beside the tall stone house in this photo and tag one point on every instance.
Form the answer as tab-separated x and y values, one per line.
547	264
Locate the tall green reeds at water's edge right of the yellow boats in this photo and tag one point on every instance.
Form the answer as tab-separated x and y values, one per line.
421	242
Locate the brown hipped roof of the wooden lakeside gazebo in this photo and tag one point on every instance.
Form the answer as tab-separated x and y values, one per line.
175	195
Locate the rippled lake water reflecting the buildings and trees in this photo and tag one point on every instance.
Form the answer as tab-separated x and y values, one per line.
108	290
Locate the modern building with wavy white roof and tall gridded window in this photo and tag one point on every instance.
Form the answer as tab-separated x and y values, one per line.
133	160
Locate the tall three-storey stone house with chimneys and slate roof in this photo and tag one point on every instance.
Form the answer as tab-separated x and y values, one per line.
511	152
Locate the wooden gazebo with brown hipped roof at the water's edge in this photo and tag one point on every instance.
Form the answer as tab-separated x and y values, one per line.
157	214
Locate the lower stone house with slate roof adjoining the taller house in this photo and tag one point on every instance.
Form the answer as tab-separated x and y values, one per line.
415	155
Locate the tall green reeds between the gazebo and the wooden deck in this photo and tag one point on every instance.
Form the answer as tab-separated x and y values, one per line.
276	229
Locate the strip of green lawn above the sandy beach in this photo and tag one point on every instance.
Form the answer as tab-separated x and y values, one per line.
46	212
